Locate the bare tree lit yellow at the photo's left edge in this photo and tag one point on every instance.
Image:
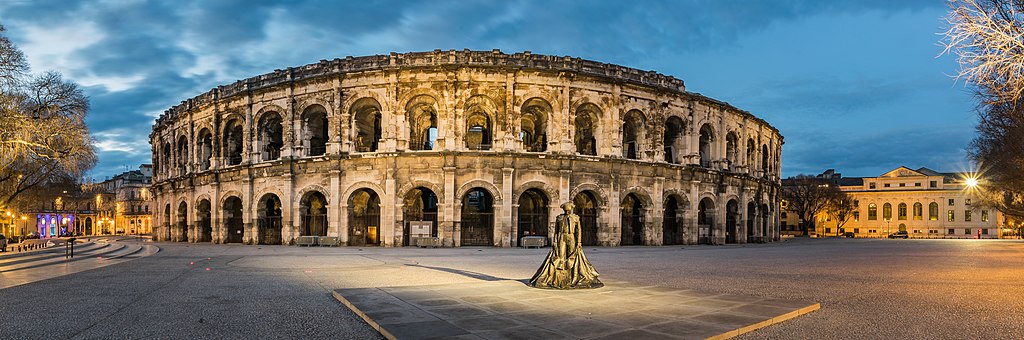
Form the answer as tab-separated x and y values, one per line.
44	137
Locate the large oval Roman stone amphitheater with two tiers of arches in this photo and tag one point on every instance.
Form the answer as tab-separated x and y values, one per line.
459	149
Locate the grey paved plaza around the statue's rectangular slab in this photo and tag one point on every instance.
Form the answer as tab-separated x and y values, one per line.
883	289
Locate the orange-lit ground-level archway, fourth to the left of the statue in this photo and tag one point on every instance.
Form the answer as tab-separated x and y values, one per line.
364	219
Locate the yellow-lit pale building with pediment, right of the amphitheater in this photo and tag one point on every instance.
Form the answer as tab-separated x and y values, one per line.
924	203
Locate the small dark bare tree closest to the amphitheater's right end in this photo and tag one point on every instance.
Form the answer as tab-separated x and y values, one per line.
807	197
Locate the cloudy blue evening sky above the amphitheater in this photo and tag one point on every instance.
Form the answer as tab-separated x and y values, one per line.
859	87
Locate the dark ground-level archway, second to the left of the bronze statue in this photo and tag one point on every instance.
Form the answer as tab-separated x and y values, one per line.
478	219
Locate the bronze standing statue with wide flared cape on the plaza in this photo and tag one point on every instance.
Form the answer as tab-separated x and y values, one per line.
567	267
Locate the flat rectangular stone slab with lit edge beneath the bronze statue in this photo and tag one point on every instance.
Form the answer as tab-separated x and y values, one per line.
510	310
